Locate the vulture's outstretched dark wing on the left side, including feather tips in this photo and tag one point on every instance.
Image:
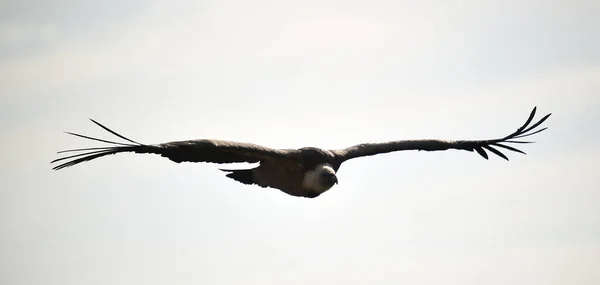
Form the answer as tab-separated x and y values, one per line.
204	150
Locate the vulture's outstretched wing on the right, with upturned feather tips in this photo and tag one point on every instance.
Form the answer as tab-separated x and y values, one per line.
480	146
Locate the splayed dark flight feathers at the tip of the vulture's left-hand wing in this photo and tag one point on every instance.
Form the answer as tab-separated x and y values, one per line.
87	154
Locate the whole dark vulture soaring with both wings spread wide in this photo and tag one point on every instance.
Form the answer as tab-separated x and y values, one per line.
305	172
